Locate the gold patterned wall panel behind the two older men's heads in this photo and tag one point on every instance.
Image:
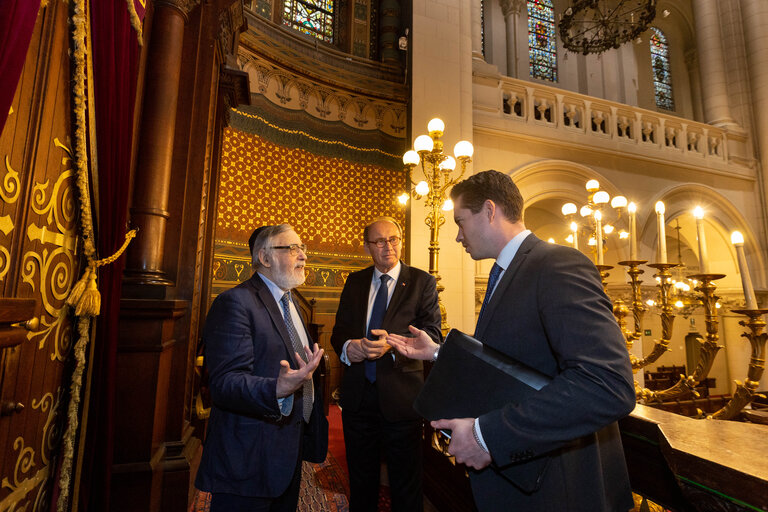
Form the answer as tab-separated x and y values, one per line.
327	200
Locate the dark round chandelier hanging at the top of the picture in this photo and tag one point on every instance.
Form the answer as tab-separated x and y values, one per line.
595	26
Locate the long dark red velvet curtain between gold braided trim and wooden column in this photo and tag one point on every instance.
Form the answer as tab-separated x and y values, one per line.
115	66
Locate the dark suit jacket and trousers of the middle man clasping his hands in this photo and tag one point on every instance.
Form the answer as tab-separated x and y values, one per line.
382	414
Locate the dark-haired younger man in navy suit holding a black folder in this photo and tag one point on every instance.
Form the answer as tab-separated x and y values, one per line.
545	307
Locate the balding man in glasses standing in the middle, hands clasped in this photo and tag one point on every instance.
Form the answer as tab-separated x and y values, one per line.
379	386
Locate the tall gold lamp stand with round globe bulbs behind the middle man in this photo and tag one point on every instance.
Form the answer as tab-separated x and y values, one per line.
438	169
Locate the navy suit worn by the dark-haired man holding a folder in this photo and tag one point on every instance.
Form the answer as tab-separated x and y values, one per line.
549	311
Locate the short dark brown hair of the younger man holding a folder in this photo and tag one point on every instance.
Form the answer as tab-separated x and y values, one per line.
493	185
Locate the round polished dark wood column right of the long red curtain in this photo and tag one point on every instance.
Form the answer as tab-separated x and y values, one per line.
149	205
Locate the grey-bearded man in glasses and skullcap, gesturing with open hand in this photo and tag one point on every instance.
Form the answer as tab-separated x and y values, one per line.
266	415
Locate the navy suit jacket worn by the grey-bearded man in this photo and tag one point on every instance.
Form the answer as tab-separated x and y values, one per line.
250	448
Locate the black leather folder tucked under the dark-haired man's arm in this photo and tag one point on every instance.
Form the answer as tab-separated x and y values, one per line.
470	379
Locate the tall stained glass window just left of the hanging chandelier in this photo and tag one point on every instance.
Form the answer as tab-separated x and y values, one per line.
542	51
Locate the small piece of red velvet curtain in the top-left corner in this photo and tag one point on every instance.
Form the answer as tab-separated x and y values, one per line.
17	22
